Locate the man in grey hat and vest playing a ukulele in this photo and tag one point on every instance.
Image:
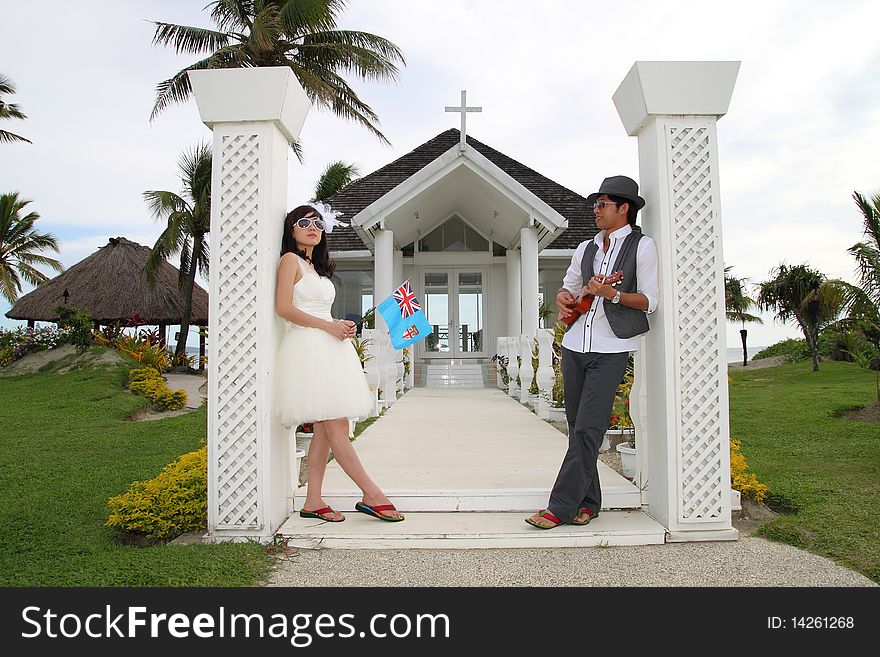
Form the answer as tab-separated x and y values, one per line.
596	347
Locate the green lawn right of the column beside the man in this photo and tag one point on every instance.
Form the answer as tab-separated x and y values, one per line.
823	471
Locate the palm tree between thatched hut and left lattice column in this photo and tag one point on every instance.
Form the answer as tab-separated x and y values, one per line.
188	220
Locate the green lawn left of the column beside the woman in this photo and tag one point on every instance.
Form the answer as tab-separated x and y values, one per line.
65	448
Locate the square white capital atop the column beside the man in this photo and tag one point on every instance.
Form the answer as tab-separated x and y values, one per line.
674	88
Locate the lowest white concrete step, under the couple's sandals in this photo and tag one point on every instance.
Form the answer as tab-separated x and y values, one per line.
469	530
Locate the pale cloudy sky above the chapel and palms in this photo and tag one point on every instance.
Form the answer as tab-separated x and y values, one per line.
800	136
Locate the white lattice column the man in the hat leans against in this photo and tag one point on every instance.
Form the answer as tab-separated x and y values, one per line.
681	406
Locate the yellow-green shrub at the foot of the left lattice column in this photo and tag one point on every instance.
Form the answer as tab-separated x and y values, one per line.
168	505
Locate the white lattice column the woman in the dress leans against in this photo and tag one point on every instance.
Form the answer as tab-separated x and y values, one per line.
254	114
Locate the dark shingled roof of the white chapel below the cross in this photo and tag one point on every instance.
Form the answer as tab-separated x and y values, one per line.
361	193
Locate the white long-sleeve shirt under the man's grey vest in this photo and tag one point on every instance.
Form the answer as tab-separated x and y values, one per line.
591	331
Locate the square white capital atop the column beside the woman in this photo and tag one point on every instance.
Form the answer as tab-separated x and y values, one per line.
239	95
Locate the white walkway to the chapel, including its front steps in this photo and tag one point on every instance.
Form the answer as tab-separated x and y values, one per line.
441	453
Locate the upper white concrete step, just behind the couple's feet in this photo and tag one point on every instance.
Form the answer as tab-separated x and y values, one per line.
617	495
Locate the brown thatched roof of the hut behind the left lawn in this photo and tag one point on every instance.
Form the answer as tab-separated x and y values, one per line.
110	284
